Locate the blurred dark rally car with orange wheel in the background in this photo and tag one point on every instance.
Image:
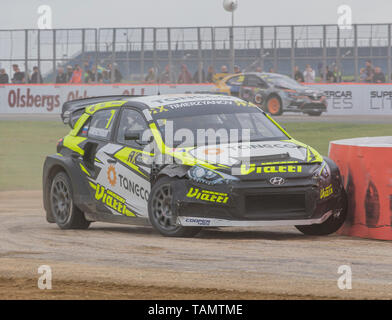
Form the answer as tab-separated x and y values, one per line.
274	93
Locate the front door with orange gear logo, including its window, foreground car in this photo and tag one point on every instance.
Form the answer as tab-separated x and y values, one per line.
126	166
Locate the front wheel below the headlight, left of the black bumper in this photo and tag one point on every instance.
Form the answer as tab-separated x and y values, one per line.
160	203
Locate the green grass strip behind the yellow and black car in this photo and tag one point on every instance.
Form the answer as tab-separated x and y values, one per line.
25	144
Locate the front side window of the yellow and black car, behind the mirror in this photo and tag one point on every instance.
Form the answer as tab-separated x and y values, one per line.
131	120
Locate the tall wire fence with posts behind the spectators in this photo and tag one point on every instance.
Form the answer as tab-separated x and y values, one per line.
135	50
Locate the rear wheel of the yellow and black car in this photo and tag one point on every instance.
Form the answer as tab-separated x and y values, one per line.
64	211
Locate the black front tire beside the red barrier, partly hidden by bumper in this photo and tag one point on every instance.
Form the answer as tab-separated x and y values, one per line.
329	226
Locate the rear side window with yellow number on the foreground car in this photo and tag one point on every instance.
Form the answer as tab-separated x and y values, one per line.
102	123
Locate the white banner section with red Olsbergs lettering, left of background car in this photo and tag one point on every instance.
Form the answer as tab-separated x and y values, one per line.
48	98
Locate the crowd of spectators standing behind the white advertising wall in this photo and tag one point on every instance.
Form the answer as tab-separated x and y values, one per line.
92	73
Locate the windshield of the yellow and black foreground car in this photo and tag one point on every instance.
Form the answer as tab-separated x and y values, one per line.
230	125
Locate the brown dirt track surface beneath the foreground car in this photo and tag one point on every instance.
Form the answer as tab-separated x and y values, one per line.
115	261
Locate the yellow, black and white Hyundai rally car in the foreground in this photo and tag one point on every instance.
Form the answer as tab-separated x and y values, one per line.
136	160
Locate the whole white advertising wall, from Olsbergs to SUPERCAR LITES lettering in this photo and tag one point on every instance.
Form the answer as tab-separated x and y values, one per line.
349	99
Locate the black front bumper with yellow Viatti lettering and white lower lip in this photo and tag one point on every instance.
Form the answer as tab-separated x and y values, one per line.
253	203
